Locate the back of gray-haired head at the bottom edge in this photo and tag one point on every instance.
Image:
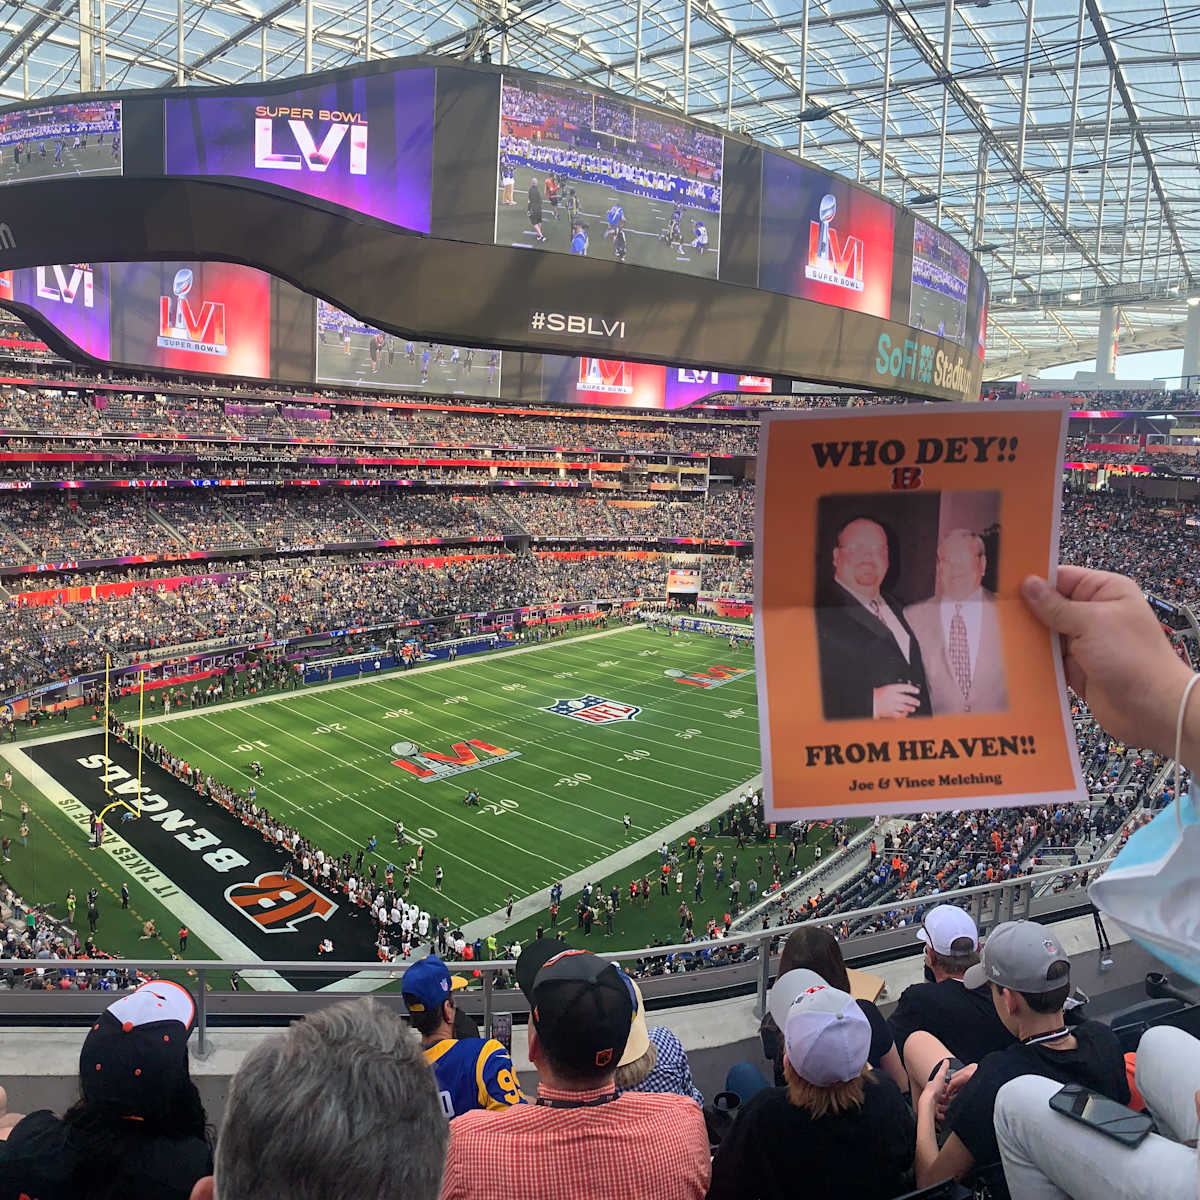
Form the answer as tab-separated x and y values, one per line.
340	1107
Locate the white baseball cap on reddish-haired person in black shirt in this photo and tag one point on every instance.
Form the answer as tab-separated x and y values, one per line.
826	1034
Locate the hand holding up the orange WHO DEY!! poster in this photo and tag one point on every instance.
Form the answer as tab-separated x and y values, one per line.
1115	656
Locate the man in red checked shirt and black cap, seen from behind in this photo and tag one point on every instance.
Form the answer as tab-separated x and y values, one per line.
581	1138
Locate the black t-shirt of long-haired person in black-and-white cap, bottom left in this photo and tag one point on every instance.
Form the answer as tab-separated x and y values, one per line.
43	1156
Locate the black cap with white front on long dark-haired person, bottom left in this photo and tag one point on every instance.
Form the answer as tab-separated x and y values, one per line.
135	1058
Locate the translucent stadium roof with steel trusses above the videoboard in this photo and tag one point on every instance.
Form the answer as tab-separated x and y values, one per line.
1057	139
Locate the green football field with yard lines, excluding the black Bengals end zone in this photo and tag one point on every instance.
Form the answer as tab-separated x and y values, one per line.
561	742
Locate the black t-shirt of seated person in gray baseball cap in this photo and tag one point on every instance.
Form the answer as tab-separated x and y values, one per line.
1097	1063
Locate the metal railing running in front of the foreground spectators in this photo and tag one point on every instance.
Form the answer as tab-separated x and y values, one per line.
988	904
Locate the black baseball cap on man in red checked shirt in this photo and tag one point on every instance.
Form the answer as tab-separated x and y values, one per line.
581	1006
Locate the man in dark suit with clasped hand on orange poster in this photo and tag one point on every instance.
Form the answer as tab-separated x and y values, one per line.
871	661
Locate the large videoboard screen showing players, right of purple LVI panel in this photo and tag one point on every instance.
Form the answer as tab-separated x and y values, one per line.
601	177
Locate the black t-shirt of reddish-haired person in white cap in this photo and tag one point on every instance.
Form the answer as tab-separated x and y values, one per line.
777	1150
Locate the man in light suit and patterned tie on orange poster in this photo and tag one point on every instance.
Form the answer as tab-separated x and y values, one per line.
959	633
